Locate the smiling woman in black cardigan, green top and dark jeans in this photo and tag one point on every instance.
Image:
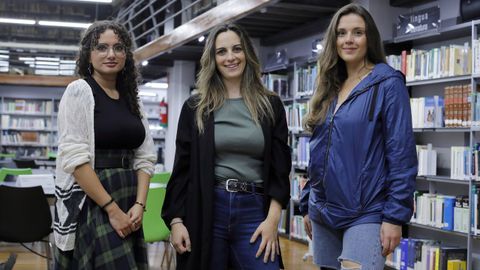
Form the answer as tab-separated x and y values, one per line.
232	163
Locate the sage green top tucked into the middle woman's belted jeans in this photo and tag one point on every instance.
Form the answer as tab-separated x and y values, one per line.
239	143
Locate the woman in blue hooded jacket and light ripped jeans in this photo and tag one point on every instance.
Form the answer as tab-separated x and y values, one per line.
363	160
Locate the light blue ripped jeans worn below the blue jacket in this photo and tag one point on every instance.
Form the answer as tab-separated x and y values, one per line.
359	244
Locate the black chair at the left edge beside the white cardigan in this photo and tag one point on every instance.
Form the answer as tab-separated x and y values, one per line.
25	217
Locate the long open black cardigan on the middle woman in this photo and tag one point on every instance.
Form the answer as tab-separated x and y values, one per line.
189	192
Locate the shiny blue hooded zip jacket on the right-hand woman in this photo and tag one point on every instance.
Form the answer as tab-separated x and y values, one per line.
363	161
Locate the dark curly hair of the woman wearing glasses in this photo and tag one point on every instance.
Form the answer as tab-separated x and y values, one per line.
127	79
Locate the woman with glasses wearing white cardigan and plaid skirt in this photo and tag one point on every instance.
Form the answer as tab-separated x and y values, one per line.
105	158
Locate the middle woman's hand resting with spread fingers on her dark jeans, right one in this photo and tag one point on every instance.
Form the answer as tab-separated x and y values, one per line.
268	230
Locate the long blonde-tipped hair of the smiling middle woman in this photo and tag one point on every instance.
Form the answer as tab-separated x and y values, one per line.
212	91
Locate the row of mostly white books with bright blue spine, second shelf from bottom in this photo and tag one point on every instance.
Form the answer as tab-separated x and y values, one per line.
448	213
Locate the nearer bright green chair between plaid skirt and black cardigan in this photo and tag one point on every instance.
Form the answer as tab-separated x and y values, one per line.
154	228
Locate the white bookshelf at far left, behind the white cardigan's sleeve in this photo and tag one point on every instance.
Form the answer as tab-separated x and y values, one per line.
28	125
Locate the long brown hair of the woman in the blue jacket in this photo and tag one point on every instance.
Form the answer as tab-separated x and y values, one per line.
332	70
